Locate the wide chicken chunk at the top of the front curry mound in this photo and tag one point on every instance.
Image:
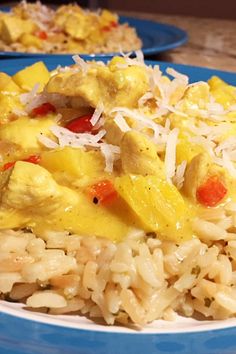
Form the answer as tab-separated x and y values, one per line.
112	86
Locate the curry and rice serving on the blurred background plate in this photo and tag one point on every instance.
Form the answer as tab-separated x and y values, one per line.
36	28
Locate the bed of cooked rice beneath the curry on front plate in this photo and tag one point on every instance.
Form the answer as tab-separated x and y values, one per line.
138	280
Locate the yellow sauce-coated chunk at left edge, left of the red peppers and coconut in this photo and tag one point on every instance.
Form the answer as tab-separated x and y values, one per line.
25	132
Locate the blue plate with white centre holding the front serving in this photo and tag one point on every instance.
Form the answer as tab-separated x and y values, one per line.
24	332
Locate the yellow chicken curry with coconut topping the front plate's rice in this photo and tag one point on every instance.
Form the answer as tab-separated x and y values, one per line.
101	150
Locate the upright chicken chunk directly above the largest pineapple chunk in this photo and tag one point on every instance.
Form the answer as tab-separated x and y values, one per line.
139	155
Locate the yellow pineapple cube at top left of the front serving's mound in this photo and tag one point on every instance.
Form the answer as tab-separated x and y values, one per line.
28	77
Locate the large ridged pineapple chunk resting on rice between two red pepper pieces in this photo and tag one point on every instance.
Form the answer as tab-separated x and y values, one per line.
158	205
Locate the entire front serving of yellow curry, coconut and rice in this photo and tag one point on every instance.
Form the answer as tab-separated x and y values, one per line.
118	192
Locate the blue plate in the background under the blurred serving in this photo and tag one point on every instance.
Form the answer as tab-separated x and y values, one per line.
156	38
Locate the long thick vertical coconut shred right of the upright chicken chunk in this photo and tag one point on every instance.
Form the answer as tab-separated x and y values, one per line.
170	155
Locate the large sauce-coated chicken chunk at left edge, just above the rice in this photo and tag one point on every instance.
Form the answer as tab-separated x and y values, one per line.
31	186
